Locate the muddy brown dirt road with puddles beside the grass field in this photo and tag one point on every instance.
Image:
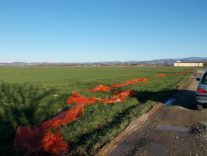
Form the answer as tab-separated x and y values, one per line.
166	131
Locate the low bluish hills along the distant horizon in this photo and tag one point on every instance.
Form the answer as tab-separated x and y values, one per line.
157	62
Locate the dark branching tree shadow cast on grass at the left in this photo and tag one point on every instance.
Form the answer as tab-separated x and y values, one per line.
23	105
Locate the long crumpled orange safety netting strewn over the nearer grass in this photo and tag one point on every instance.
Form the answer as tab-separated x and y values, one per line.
39	138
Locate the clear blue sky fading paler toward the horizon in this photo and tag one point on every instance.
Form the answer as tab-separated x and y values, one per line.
101	30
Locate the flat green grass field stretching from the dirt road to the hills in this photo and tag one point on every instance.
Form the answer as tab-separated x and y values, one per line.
30	95
